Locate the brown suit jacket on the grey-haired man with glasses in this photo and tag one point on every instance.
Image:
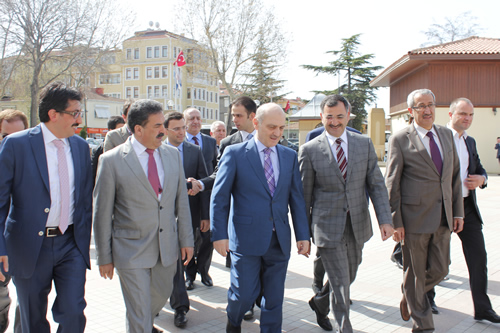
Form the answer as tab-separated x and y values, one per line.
417	192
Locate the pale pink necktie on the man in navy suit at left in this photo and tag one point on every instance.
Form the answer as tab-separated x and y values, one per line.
62	168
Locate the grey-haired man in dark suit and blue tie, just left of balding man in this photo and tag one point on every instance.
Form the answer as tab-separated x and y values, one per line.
204	247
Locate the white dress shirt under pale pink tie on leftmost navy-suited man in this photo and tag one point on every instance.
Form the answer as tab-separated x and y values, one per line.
54	185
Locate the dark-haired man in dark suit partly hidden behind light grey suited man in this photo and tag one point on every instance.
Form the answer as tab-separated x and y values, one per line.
194	166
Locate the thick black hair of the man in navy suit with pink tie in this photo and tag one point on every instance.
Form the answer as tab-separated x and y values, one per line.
56	96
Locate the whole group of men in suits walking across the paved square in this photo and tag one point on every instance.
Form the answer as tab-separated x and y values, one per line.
164	195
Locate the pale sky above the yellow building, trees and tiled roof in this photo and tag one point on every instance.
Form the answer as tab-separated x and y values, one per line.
389	30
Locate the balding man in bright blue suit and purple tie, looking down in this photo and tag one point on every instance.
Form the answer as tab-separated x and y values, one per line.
263	180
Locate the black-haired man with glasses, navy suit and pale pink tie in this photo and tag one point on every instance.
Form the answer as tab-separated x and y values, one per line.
46	212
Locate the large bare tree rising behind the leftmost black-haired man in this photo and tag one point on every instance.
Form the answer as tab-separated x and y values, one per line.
50	37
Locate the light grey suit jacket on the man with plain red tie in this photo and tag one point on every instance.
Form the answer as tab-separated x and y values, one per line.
132	226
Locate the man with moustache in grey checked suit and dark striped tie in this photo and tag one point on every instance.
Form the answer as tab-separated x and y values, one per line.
336	168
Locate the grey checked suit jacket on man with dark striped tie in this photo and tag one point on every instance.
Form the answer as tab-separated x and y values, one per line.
329	197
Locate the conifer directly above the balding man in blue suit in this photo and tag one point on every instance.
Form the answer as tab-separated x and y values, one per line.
263	84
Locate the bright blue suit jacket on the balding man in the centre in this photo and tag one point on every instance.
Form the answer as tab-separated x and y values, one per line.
253	211
